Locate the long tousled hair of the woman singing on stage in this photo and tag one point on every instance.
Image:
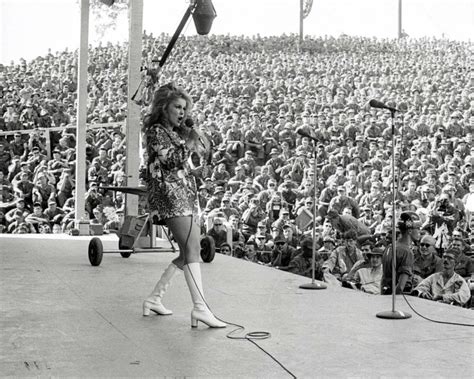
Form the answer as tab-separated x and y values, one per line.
162	97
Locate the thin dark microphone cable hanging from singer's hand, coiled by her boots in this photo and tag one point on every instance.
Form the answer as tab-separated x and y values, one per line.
251	336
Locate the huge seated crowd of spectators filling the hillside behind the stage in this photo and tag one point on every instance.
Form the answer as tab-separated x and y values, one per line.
251	96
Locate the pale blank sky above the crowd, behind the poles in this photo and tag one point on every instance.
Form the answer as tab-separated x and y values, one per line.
29	27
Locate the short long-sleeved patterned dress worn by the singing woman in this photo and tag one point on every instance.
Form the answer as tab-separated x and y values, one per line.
171	189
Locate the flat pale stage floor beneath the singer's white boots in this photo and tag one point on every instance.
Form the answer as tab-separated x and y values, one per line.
62	317
